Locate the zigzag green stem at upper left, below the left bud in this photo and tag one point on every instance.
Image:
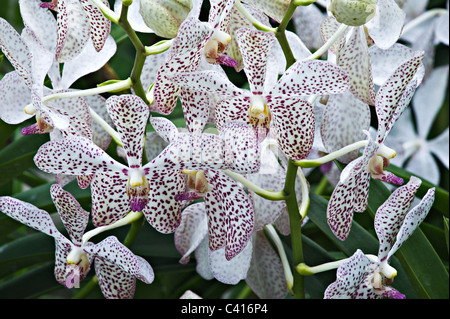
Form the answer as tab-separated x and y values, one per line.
140	55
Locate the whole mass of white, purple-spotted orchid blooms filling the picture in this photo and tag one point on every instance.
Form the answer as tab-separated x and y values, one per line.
216	184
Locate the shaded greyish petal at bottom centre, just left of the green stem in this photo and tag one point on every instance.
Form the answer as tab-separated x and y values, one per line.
266	275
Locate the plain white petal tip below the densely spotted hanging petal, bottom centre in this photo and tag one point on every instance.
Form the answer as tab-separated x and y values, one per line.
230	271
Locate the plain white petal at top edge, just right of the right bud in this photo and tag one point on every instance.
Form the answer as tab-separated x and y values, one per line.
386	26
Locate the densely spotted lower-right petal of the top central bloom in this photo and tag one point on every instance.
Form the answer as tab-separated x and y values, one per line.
293	120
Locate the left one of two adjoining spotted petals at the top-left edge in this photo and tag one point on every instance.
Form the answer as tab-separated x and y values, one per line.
73	30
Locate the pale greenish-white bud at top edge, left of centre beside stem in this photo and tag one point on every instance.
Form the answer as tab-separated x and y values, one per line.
165	16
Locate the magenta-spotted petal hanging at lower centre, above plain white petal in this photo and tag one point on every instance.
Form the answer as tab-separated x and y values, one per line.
230	215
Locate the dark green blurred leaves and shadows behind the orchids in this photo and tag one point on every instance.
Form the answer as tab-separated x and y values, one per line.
27	256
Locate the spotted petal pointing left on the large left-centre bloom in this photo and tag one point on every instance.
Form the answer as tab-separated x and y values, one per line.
75	156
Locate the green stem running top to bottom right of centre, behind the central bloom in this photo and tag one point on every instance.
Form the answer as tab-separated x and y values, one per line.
291	173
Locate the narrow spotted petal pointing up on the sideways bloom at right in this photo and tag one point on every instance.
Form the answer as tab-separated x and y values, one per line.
389	103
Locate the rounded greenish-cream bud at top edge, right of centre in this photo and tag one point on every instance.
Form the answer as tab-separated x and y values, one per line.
353	12
